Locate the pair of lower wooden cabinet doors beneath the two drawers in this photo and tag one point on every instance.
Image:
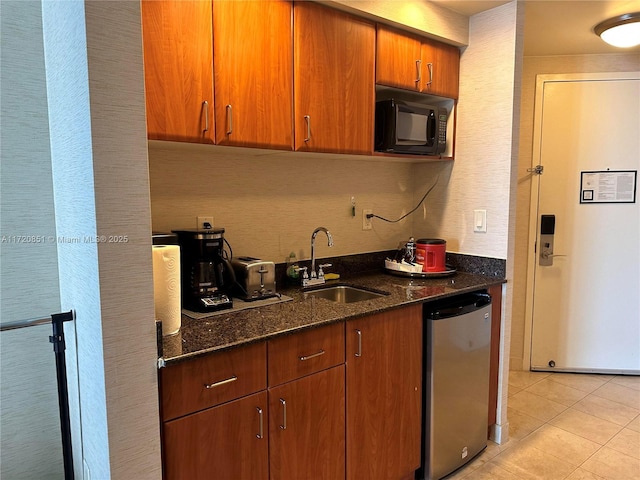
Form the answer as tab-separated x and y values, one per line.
293	431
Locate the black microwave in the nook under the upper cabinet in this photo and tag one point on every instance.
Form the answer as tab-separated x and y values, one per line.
405	127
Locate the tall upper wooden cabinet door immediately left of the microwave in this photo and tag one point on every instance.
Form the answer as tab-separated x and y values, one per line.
333	80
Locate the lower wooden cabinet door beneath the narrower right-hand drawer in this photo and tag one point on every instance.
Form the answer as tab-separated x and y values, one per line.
307	427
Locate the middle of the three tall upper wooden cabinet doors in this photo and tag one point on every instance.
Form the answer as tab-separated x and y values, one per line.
253	65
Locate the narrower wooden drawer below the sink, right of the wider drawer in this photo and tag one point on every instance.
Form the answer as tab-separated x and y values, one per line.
294	356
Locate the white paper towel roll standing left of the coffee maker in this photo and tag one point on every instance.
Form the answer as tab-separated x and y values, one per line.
166	287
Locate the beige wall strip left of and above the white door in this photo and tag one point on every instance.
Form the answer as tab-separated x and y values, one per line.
533	66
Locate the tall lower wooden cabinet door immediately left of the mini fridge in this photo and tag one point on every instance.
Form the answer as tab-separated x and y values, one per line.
384	394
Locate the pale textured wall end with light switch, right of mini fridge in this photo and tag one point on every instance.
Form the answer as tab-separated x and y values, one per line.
492	96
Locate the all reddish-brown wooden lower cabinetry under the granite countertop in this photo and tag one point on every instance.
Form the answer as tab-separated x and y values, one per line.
359	418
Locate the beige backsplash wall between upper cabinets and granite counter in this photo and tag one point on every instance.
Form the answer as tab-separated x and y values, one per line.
270	202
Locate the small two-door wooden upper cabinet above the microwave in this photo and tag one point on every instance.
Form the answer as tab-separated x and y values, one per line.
418	64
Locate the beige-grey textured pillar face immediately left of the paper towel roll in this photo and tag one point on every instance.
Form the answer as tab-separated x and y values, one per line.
119	146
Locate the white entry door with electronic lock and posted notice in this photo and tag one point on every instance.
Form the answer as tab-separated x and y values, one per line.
585	241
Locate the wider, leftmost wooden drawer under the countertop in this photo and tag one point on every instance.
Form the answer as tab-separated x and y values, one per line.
213	379
